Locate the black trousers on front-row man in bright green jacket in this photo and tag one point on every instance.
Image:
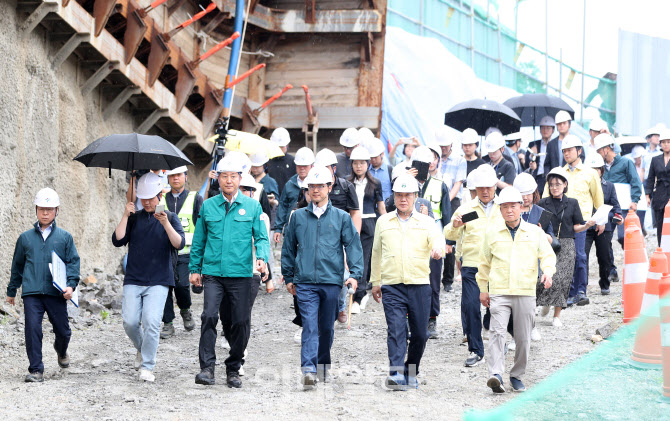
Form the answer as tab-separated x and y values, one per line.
235	294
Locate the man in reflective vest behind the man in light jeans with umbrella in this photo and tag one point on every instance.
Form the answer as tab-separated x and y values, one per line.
186	205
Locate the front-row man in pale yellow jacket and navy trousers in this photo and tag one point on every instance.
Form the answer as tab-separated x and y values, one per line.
405	241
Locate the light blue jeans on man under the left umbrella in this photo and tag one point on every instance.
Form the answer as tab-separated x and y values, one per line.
142	311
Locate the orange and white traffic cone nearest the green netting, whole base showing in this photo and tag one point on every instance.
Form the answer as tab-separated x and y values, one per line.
647	349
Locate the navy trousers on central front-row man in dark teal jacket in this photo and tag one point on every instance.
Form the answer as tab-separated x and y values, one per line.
318	305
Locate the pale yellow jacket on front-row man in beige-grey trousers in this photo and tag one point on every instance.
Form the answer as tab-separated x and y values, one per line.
509	267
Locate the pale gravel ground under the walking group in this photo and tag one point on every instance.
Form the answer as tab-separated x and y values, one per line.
101	383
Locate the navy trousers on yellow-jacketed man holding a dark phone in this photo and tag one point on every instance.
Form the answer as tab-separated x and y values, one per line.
471	313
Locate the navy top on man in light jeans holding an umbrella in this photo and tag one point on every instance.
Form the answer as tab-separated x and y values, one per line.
150	253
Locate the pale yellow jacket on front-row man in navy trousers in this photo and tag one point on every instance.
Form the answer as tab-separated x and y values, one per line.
401	255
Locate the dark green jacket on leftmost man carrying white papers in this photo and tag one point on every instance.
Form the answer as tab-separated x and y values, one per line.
32	255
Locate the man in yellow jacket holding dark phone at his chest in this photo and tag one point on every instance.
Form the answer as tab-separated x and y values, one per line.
471	234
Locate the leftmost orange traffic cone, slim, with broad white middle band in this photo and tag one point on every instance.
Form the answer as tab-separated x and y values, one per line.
634	272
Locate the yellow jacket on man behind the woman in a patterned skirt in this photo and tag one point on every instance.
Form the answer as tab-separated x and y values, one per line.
583	185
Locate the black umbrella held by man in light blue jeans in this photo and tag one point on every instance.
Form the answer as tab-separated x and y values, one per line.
132	151
